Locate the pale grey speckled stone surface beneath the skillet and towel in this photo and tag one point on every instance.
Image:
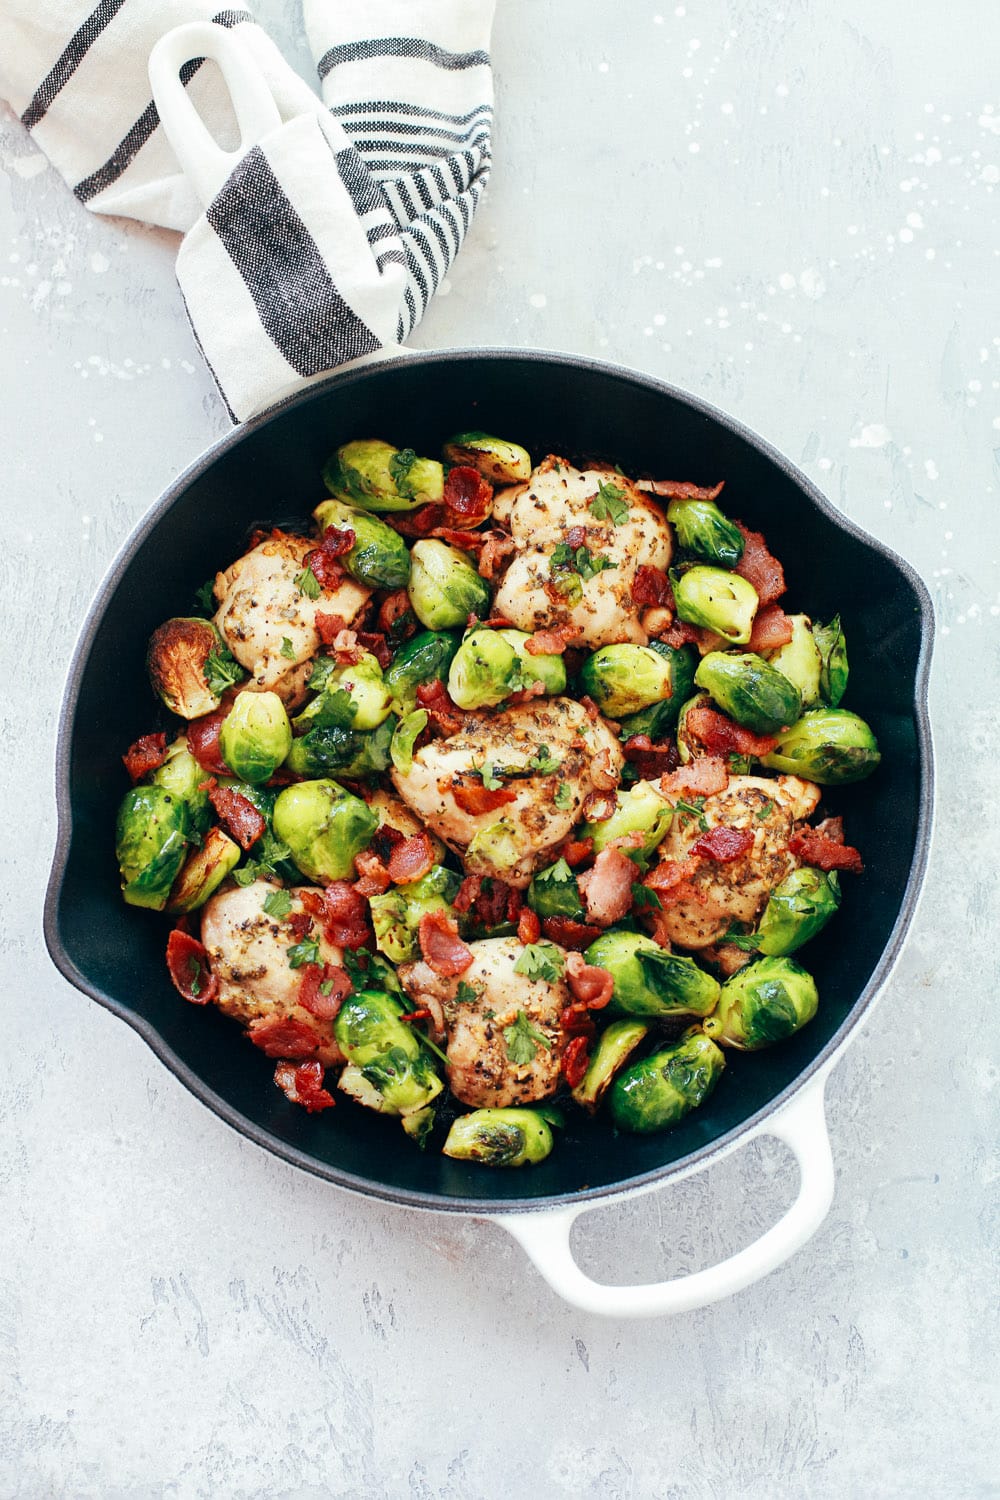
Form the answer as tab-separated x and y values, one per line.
792	211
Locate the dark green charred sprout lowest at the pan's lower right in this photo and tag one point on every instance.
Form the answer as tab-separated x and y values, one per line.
659	1091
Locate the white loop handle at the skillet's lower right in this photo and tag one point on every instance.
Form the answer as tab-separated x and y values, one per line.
801	1126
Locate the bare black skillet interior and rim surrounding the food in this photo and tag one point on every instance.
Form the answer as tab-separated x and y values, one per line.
271	472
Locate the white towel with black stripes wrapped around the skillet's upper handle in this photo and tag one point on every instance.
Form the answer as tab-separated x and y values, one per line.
323	238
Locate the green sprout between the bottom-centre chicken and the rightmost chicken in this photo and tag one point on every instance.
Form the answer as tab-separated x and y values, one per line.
651	982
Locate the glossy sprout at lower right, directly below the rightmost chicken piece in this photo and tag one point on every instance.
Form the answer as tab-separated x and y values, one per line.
762	1004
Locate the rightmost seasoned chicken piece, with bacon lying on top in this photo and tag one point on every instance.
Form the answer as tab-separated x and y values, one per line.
735	892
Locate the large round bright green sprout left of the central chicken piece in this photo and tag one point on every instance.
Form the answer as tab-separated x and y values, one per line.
325	827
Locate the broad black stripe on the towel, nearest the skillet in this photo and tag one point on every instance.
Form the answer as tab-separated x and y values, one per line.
296	301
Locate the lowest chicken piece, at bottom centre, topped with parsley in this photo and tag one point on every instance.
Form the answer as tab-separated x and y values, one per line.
481	1069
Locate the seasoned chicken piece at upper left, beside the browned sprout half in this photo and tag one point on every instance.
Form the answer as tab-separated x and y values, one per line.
262	608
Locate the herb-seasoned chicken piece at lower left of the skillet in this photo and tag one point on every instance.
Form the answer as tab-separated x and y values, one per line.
248	953
